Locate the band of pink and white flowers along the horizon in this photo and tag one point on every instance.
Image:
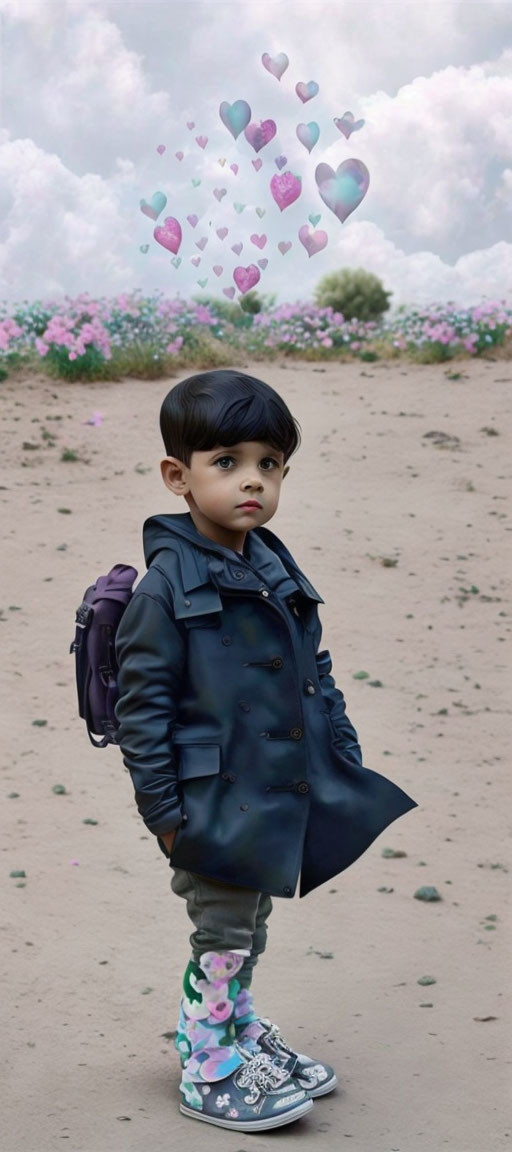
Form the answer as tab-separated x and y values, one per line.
149	337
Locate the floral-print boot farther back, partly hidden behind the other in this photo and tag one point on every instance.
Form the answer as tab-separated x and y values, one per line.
258	1034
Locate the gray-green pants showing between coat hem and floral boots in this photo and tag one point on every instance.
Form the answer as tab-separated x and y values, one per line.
225	918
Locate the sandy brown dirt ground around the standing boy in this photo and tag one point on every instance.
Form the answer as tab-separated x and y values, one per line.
406	536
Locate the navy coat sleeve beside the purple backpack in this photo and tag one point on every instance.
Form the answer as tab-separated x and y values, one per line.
150	655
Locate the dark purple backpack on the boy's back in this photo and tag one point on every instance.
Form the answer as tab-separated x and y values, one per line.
97	622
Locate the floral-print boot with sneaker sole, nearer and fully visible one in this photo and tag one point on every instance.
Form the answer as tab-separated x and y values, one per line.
223	1082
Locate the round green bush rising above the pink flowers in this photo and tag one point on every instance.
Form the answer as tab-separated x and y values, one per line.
355	293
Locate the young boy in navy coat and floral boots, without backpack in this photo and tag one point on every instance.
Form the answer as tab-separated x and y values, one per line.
244	761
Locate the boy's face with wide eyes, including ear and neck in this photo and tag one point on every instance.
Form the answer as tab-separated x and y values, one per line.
222	480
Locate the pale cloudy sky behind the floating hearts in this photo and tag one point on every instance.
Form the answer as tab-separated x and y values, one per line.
92	89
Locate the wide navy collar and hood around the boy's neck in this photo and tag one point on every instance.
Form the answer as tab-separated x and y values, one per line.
266	558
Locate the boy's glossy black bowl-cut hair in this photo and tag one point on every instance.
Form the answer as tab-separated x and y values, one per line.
224	407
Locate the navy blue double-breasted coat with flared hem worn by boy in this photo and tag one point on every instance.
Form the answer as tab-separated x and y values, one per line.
231	724
